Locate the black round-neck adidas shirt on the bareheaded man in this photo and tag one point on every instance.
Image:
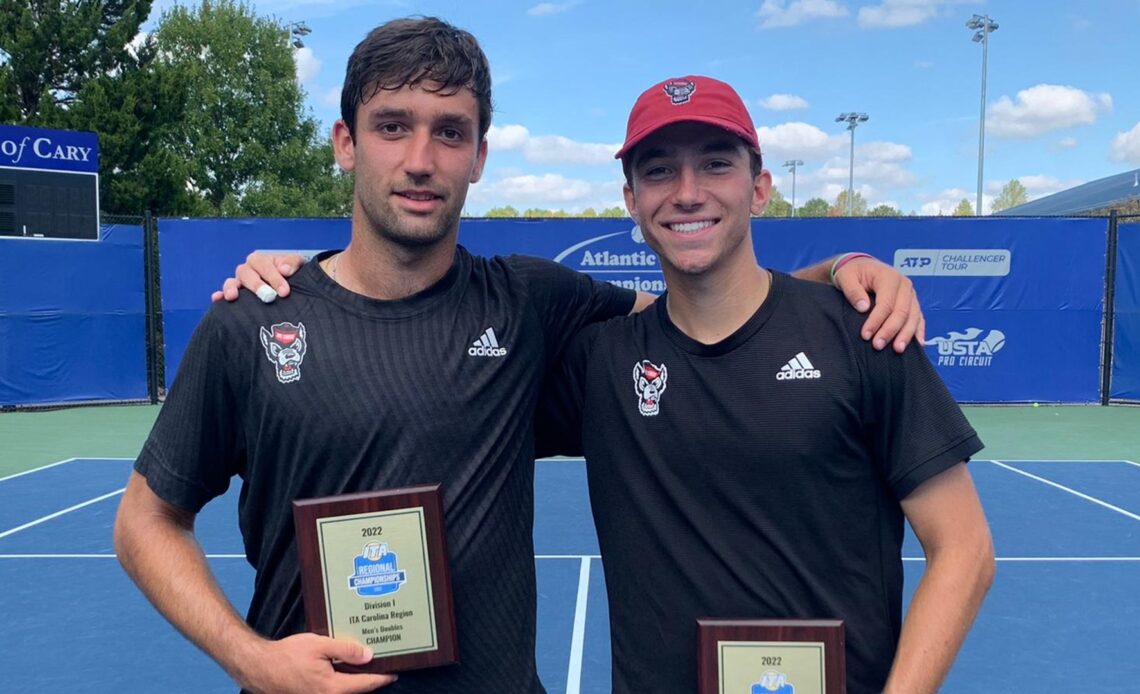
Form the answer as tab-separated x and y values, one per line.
328	393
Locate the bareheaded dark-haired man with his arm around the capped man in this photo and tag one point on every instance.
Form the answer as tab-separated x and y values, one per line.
363	380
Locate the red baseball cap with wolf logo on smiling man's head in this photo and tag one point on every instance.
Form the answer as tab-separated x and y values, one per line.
690	99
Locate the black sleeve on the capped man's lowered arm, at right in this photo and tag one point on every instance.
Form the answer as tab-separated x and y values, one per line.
917	429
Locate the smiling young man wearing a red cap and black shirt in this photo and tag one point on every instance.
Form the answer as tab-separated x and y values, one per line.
747	459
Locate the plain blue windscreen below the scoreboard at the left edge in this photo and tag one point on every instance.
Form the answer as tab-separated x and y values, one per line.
72	320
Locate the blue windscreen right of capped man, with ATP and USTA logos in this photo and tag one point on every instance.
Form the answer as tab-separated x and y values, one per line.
1014	306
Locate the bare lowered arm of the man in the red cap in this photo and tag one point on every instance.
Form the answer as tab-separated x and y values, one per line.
948	520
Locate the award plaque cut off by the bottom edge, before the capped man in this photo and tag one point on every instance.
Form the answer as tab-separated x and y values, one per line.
771	657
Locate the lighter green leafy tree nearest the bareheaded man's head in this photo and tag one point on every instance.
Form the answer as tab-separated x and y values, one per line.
246	134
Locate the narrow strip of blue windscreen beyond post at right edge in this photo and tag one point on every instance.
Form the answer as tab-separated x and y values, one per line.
1126	383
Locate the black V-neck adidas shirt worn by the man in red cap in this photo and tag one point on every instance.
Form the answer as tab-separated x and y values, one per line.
759	478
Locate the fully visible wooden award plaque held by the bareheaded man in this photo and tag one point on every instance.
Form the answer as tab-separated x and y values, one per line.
374	570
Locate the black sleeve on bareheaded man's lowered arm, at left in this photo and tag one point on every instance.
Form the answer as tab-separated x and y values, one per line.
194	448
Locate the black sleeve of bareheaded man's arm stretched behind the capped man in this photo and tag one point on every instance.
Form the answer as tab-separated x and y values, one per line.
567	300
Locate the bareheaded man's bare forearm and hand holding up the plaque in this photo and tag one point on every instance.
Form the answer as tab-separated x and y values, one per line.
157	545
